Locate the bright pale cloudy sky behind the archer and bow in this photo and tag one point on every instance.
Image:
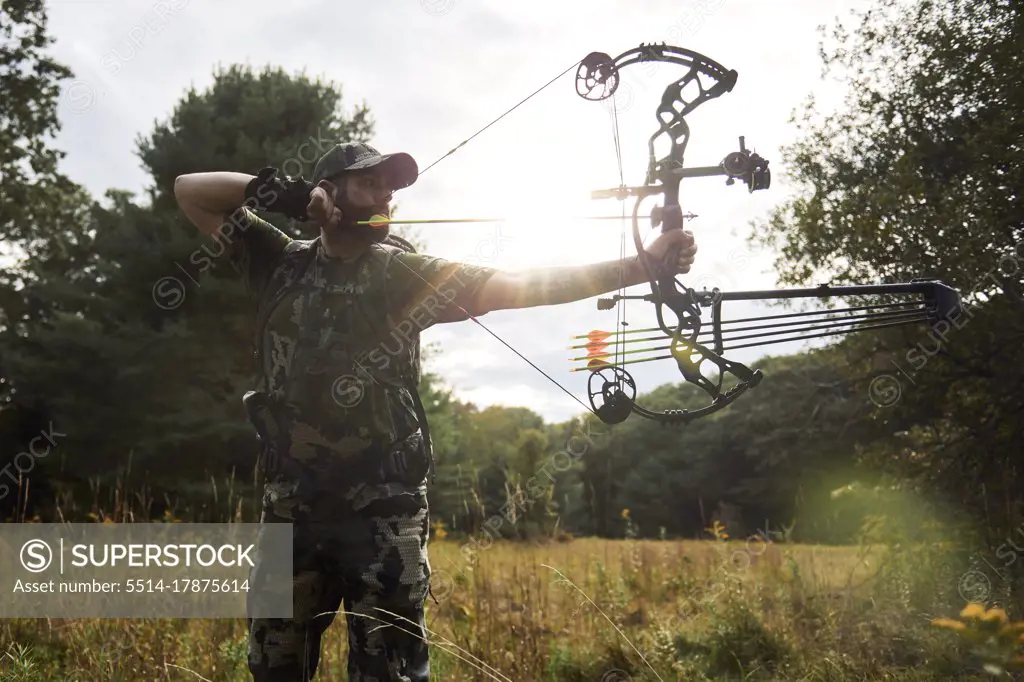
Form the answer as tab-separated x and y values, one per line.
434	72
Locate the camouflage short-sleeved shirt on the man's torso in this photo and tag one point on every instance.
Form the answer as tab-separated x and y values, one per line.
340	344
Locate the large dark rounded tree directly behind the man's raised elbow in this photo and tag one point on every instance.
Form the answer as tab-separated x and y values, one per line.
143	350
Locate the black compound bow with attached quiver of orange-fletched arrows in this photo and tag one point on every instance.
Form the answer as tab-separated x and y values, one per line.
612	391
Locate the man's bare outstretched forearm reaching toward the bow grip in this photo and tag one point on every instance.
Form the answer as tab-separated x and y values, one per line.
552	286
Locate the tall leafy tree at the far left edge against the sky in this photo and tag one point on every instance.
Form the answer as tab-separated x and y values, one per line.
41	215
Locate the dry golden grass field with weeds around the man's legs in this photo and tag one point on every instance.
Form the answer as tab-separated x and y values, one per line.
592	610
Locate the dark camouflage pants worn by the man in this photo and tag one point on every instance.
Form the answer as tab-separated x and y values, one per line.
363	562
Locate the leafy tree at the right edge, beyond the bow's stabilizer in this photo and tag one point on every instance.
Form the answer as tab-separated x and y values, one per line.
920	176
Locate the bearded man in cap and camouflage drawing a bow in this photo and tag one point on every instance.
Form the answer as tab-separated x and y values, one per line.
346	442
